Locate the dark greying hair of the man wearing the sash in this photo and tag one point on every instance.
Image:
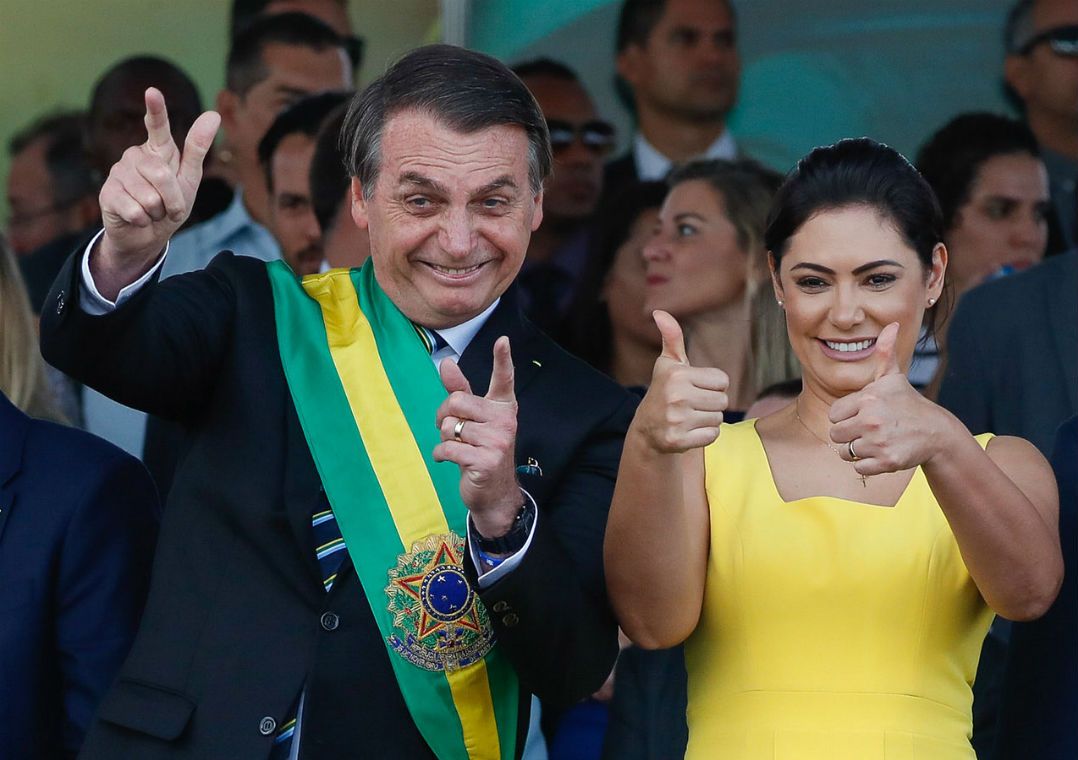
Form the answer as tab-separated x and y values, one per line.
463	90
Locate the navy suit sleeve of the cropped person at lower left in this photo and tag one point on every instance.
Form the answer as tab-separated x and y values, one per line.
103	579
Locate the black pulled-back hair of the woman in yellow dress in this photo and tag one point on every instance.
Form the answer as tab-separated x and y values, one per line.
859	173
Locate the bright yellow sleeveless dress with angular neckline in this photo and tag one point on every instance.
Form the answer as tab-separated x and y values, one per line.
831	629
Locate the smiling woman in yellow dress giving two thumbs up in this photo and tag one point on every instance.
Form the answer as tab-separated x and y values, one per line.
833	569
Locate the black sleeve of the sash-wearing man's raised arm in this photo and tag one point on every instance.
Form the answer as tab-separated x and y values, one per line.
161	352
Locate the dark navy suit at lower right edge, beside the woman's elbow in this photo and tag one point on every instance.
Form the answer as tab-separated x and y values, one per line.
1041	685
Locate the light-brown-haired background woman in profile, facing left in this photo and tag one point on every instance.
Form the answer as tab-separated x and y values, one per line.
708	261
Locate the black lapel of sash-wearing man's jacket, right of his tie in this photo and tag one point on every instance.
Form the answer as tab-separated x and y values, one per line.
478	360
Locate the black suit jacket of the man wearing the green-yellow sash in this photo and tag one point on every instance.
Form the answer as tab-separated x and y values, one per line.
232	629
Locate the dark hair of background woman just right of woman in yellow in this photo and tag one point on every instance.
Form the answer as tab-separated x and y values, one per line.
951	158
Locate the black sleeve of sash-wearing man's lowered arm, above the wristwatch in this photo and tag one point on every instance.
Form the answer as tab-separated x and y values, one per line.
551	614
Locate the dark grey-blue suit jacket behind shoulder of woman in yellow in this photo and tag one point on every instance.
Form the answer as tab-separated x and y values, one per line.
1013	356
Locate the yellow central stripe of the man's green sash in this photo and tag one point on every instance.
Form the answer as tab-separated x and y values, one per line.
403	475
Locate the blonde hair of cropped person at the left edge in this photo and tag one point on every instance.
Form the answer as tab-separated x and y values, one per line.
22	369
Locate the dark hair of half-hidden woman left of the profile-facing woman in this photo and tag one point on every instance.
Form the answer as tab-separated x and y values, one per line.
586	329
